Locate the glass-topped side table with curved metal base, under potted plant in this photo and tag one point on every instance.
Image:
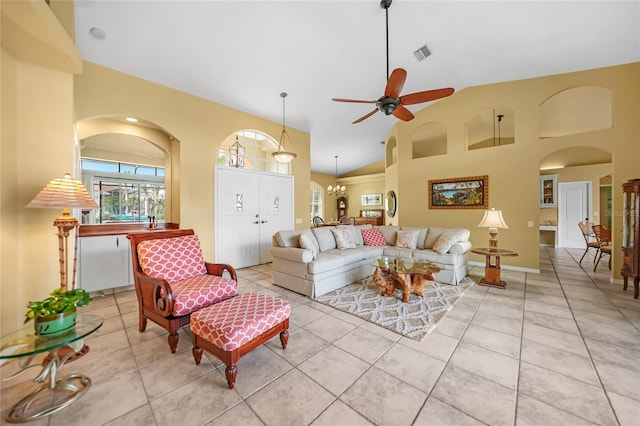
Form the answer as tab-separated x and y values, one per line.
55	394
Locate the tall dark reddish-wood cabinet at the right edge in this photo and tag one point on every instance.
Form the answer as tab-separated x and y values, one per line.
631	234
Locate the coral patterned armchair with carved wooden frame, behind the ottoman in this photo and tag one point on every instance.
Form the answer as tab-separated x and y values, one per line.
172	280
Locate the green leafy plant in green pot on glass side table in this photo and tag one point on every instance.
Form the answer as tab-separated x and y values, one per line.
57	312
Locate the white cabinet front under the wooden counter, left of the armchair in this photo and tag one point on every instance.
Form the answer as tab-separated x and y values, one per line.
105	262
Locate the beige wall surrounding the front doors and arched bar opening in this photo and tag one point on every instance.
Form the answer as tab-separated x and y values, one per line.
199	125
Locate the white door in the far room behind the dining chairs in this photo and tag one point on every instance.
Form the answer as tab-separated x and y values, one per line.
574	205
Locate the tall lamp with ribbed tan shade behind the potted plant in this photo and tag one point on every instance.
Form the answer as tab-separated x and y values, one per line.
65	193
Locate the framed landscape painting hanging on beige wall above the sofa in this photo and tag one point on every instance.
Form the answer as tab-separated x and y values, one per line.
459	193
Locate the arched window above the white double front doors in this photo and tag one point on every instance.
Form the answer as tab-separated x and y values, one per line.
258	147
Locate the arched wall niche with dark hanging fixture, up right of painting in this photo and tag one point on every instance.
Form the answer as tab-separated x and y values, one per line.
491	127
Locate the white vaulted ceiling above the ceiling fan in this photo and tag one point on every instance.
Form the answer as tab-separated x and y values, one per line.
244	53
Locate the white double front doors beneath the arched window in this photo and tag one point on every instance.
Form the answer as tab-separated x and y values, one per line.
250	207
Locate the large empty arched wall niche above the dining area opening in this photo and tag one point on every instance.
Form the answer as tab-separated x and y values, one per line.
576	110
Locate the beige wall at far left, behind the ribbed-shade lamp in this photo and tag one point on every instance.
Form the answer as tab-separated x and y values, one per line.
36	79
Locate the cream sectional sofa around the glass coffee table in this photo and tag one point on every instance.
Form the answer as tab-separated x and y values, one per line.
296	269
